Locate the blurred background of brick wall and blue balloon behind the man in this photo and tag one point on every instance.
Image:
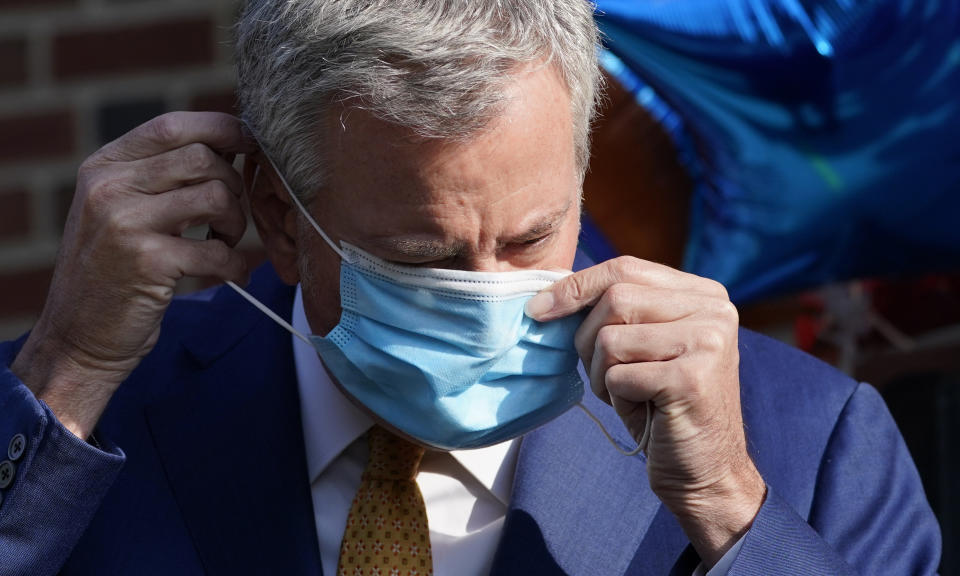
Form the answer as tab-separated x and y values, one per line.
806	153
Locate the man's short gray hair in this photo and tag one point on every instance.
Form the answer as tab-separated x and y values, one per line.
436	67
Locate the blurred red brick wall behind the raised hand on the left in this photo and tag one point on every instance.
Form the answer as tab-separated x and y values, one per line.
75	74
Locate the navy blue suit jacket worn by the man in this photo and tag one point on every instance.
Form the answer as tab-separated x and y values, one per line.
201	470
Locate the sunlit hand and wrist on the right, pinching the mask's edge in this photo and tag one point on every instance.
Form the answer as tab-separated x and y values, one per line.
664	336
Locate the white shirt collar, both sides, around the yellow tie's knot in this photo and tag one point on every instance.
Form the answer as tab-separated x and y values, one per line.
331	422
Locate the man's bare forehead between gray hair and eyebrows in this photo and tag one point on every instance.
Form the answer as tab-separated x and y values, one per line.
522	162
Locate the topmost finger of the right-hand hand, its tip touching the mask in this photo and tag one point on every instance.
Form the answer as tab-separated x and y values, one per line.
586	287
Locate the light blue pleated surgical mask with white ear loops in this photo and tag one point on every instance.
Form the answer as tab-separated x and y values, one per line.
446	357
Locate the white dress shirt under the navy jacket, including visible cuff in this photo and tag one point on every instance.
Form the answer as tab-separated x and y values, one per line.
466	492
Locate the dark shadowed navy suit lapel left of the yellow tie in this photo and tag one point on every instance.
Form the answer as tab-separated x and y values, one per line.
232	442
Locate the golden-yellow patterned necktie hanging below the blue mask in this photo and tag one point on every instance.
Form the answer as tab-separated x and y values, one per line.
387	533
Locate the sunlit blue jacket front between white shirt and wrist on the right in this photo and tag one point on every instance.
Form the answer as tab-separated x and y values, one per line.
581	508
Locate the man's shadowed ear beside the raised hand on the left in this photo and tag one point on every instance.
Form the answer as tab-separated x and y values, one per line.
273	214
